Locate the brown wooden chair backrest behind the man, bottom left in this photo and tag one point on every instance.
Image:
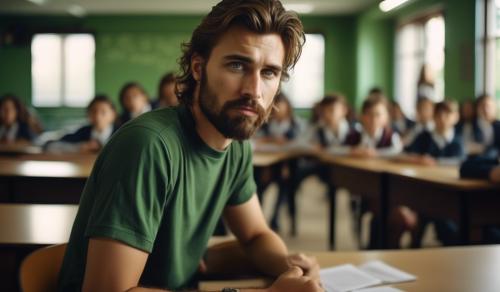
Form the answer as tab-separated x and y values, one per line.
40	270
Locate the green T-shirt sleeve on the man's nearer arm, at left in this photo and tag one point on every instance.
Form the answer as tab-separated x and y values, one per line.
131	186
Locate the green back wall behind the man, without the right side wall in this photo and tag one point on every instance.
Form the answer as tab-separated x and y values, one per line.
142	48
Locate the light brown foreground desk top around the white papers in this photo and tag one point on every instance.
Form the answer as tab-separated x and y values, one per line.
440	269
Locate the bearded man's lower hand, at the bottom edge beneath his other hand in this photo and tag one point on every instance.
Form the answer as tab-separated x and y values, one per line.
293	280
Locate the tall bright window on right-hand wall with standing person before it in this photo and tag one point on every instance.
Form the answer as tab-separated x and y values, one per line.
419	43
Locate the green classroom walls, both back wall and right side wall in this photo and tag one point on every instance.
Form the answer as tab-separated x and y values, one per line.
359	50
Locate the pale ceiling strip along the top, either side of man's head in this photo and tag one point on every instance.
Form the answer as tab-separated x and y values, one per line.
92	7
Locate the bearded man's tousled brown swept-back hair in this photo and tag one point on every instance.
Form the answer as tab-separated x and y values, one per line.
260	16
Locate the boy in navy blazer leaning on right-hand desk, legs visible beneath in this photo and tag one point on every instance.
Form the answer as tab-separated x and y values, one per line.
428	148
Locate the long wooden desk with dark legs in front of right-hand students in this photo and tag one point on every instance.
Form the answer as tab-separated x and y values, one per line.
435	191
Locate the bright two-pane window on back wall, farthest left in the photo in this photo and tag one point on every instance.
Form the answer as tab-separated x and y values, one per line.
62	69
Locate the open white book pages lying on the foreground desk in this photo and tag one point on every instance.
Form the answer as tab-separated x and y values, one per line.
350	278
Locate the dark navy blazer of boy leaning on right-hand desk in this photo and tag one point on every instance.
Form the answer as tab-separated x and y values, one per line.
425	144
